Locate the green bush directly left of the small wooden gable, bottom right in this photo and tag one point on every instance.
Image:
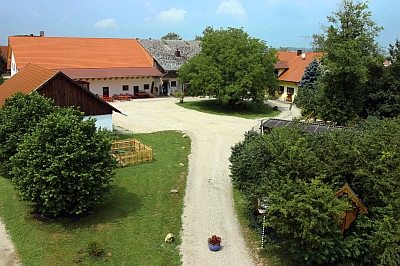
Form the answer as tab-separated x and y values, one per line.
305	216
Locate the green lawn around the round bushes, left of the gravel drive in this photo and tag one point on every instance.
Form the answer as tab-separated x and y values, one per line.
129	229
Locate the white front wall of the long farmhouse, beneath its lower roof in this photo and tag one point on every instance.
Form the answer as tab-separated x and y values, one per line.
115	85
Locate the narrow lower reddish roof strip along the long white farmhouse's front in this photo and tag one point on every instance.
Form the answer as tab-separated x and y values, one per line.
77	73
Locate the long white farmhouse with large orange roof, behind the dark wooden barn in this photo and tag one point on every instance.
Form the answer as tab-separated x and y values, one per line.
106	66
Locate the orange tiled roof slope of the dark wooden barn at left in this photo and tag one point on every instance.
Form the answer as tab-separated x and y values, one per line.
27	80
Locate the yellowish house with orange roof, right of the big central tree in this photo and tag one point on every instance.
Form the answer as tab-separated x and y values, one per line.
290	69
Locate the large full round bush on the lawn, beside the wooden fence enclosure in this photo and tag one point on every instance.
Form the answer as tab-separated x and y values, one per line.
64	167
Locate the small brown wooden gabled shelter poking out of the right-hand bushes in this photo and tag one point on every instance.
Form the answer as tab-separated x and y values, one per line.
357	206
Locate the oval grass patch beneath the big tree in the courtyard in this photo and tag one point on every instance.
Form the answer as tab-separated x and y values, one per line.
246	110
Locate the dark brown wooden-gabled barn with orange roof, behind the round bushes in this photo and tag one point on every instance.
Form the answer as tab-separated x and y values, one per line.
62	89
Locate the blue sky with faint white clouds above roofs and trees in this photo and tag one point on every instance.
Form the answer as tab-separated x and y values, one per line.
280	23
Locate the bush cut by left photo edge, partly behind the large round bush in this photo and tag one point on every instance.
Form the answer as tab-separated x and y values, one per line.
18	116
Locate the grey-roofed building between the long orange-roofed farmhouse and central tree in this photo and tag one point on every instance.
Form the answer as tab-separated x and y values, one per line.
169	56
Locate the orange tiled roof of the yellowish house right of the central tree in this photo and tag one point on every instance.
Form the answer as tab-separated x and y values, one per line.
296	65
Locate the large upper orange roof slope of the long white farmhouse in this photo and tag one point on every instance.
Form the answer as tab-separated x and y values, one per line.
70	52
